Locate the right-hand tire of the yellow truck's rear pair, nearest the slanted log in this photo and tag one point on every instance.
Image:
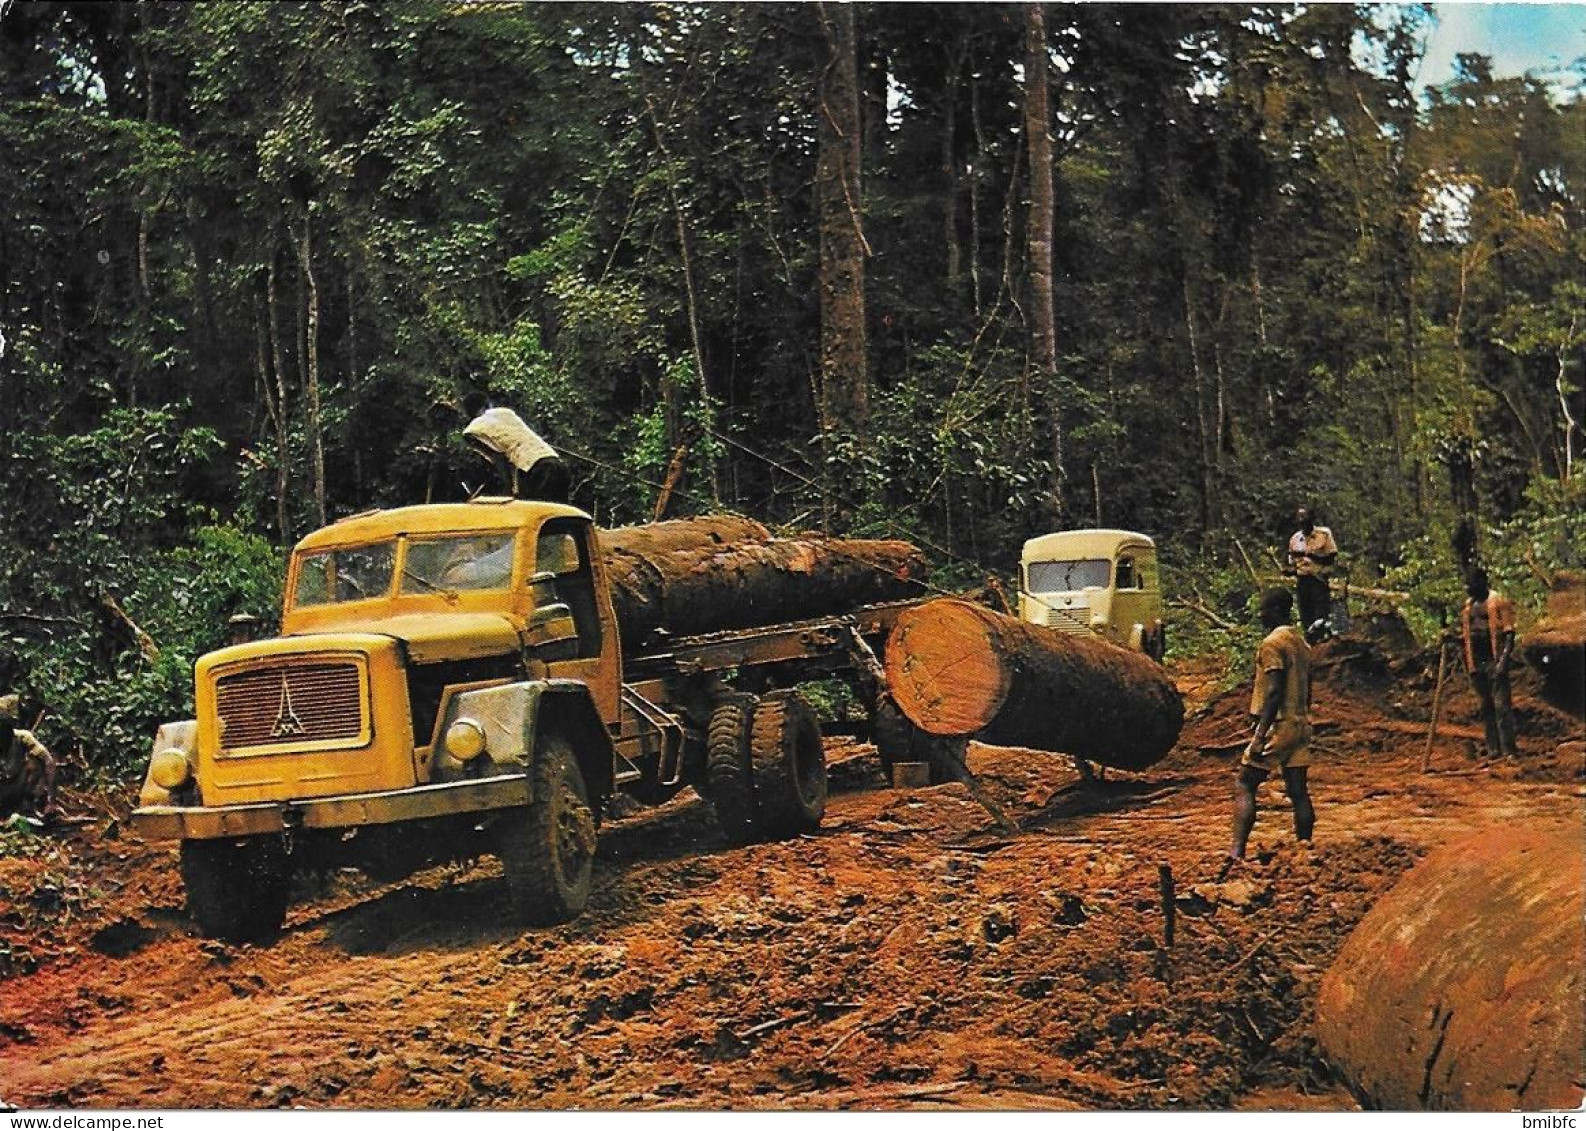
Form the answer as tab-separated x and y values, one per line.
791	765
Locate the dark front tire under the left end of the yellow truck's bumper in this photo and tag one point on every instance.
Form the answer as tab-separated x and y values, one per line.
237	891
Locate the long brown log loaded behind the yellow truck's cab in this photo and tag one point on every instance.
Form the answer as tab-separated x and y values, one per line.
688	591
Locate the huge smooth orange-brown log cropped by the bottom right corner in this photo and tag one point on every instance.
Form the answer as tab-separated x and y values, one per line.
1461	989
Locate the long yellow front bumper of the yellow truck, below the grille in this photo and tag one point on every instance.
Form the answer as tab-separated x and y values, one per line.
348	811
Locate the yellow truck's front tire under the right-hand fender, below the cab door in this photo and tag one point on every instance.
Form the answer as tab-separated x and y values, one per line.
548	846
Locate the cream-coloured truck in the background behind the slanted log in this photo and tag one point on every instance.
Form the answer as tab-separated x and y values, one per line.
1100	583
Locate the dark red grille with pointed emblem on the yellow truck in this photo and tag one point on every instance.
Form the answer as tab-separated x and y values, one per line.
294	704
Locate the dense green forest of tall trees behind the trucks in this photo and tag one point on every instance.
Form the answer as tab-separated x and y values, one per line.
957	274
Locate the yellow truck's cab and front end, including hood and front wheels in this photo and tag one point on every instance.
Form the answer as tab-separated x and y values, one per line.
448	681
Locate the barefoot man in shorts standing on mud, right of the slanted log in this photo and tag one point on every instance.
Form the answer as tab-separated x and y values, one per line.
1281	704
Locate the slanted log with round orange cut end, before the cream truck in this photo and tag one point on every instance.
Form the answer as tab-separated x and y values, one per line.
962	670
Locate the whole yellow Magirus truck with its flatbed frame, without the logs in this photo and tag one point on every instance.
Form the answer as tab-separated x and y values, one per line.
450	681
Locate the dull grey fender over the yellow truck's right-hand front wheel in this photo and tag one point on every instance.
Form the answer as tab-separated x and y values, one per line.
515	715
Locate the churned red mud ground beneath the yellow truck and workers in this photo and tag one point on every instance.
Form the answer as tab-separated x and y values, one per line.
908	956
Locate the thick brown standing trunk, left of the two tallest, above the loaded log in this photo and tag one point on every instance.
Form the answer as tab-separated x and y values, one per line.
845	374
